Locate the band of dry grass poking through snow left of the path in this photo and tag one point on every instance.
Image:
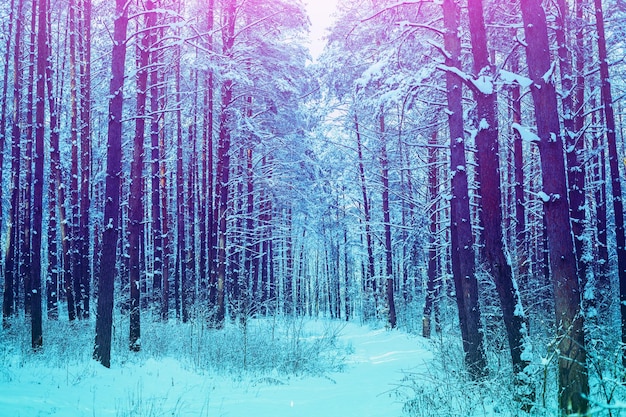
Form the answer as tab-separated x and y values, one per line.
276	346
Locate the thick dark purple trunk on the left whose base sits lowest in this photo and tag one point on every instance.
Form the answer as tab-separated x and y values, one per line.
104	316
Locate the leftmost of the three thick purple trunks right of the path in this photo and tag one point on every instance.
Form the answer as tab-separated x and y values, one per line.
461	237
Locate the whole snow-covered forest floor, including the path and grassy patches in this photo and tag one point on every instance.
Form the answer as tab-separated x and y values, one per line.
271	367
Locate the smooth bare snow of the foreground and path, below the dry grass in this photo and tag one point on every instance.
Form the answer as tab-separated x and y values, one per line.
163	388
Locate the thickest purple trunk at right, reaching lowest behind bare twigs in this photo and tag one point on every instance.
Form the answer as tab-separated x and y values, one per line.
573	377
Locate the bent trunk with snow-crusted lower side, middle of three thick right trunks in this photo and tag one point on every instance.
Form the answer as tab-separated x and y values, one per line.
488	156
